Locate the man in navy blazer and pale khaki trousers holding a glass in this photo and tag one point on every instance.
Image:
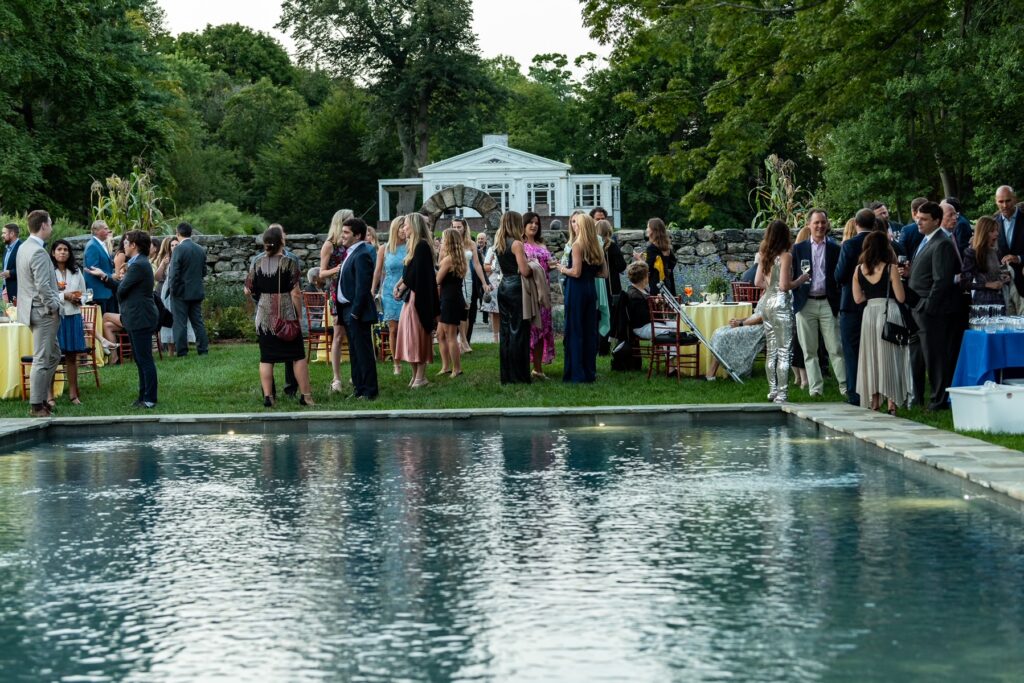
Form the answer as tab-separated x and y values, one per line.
817	303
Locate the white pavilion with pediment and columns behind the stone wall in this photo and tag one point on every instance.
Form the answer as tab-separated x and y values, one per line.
518	181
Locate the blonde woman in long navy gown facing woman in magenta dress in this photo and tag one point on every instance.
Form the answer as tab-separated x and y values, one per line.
586	260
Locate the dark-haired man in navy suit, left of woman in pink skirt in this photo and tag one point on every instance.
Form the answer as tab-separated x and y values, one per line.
358	311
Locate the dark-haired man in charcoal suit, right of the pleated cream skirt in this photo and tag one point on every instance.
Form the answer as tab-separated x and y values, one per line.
935	300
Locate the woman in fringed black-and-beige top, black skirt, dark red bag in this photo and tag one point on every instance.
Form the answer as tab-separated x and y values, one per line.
276	283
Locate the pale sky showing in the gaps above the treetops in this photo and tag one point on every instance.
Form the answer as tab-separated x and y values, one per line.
548	26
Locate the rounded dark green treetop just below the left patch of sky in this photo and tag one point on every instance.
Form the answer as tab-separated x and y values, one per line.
244	55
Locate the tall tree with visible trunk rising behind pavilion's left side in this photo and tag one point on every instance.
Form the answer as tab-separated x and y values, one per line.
413	55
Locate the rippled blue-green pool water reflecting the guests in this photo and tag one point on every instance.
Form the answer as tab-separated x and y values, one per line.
655	553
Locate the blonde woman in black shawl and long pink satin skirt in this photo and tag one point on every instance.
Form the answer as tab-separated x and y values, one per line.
419	318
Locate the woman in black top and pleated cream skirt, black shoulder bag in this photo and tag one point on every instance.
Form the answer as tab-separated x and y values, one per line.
882	366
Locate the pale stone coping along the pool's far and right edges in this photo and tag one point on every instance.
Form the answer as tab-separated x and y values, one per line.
985	465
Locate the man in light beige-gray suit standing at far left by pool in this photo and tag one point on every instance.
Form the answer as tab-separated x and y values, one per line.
39	308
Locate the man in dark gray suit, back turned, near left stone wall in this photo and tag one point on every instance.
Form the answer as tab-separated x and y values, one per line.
186	279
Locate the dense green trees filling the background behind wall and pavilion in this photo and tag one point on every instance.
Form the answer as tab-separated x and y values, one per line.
868	101
